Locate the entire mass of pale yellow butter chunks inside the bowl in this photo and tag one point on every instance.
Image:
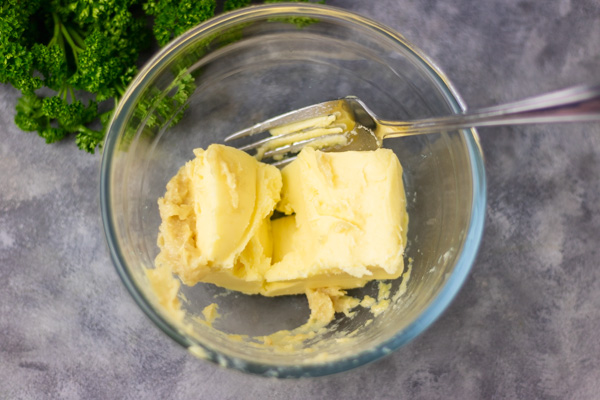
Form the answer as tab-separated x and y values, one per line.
344	224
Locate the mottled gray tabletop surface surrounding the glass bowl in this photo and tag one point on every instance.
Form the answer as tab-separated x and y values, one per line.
525	325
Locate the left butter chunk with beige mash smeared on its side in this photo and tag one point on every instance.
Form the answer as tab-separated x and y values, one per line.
215	219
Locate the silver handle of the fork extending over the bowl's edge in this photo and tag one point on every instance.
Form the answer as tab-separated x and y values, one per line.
580	103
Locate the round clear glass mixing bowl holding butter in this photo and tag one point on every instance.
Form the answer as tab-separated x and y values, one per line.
242	68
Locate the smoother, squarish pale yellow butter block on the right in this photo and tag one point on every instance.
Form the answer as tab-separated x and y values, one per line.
347	222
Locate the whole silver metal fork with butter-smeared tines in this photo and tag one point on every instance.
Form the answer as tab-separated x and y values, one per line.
348	124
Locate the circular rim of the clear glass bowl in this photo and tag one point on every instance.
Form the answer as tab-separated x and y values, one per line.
438	304
